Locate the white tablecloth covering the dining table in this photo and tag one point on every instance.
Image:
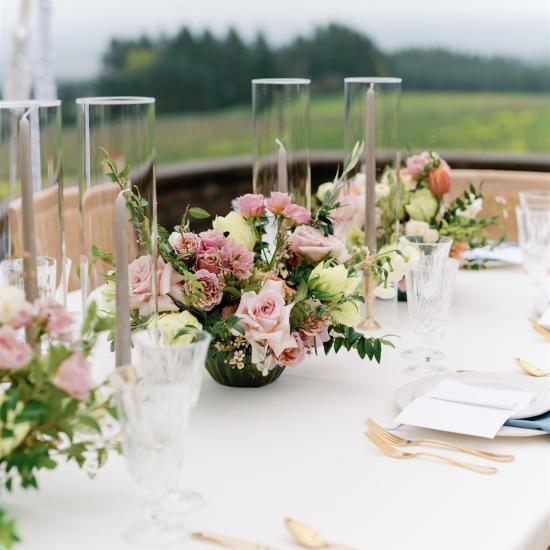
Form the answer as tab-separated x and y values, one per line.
296	448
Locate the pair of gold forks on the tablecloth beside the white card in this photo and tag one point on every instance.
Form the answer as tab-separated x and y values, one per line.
388	443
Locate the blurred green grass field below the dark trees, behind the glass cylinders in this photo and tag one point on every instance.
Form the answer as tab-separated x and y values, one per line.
472	122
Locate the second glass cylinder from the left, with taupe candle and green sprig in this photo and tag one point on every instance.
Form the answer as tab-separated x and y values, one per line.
116	134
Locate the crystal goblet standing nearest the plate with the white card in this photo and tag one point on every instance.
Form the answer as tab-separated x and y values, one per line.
429	295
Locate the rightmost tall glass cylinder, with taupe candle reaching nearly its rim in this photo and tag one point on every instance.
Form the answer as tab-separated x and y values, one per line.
372	112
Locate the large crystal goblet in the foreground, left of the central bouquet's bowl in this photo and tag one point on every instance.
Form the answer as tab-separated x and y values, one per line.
155	398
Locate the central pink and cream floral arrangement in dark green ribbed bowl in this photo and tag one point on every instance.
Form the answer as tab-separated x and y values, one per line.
269	281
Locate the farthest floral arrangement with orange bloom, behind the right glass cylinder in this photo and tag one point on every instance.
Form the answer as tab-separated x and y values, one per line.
418	201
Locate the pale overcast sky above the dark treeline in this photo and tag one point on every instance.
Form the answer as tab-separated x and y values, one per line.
82	29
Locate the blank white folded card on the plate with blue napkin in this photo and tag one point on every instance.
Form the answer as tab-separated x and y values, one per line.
460	408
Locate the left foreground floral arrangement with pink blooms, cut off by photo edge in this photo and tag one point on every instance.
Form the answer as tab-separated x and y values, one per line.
49	406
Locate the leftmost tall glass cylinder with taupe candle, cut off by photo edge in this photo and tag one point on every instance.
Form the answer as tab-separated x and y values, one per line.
32	245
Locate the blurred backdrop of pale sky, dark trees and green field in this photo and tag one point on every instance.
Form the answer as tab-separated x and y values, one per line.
476	75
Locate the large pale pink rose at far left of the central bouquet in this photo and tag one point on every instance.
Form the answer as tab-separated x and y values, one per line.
140	278
